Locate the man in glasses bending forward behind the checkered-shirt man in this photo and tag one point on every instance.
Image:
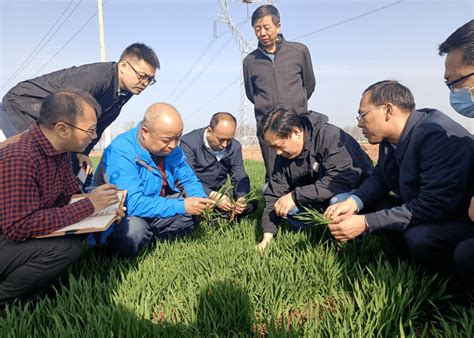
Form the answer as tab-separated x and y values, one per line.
112	84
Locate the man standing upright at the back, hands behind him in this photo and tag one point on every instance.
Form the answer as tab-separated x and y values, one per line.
277	72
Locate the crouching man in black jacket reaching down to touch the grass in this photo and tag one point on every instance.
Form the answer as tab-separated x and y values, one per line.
316	164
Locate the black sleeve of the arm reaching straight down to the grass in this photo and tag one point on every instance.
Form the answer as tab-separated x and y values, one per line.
277	187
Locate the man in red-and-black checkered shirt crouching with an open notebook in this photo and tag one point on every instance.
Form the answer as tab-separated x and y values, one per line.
36	183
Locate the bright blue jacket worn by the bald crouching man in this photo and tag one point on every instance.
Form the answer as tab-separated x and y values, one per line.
130	167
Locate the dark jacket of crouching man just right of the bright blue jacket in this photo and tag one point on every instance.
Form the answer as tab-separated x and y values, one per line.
212	173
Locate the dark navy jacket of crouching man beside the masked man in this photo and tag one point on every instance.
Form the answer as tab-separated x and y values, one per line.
431	170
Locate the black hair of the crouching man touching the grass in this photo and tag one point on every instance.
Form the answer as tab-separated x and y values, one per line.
281	121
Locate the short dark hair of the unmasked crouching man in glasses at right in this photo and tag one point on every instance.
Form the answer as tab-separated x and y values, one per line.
391	91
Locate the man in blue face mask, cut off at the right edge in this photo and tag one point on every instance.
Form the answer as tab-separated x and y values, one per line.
459	77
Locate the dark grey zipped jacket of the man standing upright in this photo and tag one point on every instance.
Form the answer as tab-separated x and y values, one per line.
288	80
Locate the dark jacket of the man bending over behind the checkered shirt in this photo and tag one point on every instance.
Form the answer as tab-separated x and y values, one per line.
23	102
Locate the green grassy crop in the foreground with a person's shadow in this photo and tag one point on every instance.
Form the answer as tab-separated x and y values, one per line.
214	283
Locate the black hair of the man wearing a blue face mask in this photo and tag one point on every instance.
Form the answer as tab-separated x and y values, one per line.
462	38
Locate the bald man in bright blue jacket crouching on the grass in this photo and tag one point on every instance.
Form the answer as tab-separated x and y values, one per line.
163	192
